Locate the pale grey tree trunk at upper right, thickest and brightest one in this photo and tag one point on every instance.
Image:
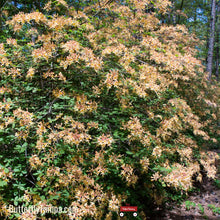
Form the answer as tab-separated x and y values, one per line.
211	40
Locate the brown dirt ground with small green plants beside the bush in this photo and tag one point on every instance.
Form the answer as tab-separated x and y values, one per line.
201	205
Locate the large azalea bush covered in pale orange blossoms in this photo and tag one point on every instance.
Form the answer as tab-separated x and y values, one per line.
102	106
